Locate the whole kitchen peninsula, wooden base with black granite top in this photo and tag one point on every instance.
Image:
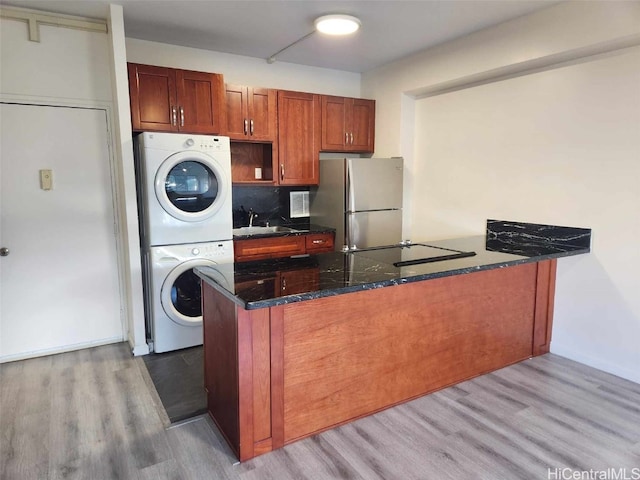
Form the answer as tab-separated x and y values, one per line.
300	345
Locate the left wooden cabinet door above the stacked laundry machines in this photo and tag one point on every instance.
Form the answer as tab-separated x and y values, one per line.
152	92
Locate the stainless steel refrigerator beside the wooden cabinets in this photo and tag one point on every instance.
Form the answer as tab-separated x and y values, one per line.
362	199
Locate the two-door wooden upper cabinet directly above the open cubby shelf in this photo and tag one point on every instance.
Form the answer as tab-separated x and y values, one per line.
251	113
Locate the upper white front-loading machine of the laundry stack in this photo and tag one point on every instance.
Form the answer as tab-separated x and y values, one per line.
184	188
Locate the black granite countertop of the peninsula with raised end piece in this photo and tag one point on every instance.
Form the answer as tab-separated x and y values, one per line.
259	284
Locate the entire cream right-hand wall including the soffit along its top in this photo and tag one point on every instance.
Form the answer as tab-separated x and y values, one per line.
554	144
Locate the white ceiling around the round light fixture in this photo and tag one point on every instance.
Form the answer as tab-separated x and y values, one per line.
391	29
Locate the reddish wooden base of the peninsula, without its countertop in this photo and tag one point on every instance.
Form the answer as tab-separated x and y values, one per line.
276	375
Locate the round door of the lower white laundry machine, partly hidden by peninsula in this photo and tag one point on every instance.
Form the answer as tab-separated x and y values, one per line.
181	293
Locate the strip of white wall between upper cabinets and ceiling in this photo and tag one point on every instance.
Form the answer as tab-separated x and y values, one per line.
246	70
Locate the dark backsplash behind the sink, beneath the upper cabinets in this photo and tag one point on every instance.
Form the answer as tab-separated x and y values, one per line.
270	203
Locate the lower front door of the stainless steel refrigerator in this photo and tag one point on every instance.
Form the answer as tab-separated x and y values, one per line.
374	229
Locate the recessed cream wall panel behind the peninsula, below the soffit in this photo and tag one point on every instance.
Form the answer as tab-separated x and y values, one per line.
563	147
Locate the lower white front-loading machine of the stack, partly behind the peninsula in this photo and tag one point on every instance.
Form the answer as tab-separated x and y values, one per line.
174	310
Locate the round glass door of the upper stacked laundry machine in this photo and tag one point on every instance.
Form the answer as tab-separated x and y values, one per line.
190	186
